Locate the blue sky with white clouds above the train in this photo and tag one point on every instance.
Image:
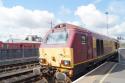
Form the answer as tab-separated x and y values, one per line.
19	18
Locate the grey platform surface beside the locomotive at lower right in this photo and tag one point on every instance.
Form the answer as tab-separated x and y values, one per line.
109	72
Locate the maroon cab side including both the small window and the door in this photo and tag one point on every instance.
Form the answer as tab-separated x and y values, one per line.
82	47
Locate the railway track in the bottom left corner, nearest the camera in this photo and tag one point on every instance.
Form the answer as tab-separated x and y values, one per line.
19	76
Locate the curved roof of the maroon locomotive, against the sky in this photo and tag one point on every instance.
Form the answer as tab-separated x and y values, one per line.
67	25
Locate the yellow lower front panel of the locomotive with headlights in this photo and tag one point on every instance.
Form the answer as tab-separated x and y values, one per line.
58	57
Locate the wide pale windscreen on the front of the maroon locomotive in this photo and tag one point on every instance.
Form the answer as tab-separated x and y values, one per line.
59	37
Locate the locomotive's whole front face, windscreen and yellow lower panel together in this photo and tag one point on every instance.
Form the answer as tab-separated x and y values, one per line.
55	51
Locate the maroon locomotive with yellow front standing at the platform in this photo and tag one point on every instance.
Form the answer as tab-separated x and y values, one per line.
70	49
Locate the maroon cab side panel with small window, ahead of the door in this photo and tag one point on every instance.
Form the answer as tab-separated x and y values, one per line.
80	47
